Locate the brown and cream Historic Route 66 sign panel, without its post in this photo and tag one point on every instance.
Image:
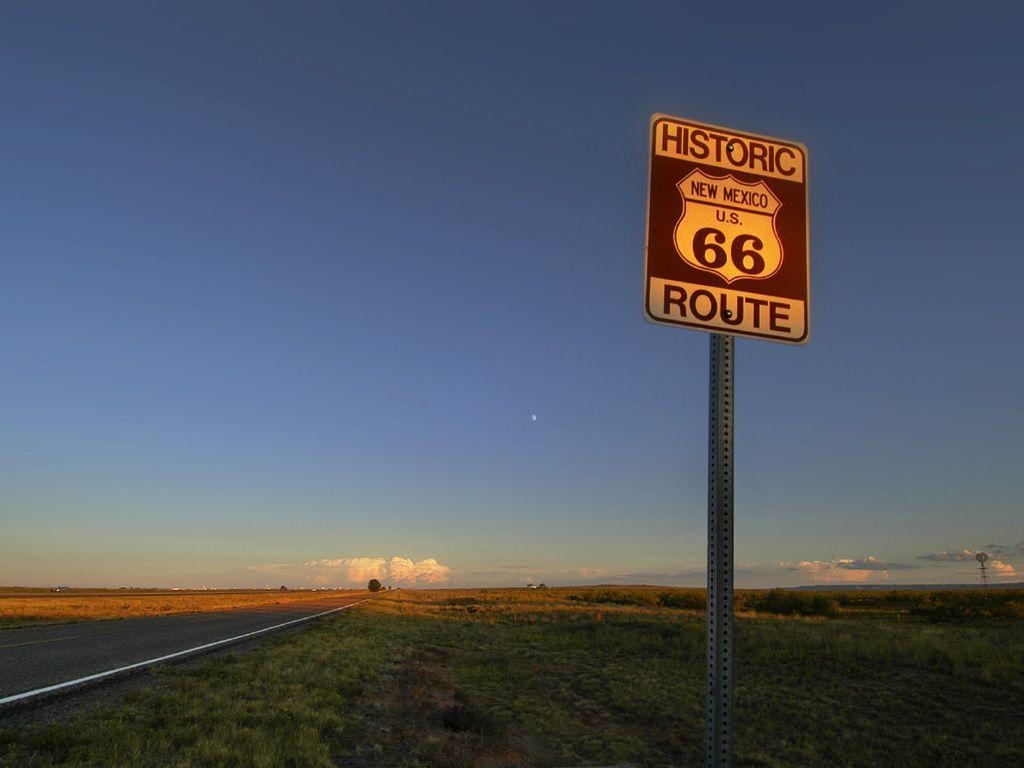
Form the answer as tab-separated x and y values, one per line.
728	241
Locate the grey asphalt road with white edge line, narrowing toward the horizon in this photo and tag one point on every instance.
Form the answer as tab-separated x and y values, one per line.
34	658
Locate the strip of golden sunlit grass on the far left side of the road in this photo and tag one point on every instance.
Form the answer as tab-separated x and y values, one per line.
24	607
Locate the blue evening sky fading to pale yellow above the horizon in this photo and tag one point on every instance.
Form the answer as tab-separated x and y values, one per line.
284	284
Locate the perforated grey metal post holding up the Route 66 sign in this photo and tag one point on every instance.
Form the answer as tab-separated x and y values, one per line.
720	553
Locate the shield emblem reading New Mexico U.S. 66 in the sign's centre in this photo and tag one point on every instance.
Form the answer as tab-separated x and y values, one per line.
729	228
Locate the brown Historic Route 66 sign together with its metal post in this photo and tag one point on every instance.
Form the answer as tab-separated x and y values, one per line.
728	253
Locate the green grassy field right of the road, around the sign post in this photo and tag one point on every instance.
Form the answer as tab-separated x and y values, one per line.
575	677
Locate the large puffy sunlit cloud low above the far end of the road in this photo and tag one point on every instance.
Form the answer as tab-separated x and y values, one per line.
357	572
